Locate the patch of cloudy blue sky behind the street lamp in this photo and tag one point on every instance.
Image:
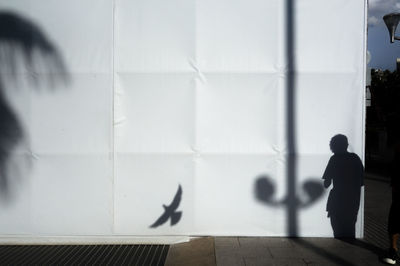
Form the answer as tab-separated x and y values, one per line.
383	53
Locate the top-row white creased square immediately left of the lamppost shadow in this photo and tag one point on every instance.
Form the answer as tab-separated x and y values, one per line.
239	36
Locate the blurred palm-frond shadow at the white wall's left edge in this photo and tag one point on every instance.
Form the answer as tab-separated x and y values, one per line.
23	46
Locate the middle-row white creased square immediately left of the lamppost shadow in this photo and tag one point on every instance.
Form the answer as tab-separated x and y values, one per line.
239	113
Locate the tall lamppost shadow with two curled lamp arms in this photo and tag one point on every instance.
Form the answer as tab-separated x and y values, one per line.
264	188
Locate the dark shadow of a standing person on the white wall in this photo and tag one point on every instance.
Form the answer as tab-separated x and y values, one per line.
345	171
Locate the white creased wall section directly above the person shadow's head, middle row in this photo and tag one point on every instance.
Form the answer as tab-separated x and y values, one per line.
339	104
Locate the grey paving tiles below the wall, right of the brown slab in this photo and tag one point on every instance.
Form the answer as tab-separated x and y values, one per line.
291	251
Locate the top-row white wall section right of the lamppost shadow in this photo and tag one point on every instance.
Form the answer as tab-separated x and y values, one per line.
330	41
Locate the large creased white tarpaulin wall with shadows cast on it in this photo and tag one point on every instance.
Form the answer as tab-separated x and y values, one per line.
180	92
